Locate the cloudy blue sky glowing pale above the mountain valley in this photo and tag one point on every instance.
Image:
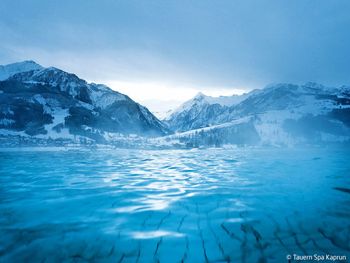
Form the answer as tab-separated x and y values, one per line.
163	52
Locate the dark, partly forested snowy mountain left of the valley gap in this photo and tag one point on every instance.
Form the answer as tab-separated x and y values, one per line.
48	103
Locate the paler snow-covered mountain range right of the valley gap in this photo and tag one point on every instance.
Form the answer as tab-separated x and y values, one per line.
279	114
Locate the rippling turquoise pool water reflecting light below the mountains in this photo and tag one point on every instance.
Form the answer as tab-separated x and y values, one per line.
216	205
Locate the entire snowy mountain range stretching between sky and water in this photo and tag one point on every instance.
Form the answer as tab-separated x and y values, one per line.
40	104
